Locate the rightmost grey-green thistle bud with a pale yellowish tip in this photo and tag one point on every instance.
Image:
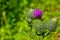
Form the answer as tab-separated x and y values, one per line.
52	24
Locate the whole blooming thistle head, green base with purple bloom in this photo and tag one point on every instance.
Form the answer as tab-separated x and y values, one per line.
33	13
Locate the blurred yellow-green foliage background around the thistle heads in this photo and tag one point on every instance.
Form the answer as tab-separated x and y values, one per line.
13	24
